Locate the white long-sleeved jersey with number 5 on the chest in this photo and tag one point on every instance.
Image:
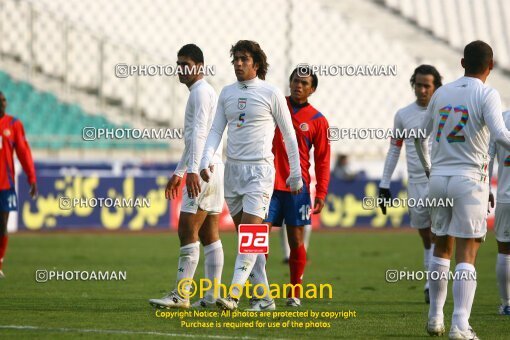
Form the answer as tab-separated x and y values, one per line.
252	109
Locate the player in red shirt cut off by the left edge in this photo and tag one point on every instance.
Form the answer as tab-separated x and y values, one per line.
12	138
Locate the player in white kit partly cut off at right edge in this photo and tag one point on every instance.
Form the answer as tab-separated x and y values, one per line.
502	225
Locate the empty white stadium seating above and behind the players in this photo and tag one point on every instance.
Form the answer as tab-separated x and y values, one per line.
78	45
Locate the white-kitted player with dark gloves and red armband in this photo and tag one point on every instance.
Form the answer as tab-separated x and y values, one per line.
425	80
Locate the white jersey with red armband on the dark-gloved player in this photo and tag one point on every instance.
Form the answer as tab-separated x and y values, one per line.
407	119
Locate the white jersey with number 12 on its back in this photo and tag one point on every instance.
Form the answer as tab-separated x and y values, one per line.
459	117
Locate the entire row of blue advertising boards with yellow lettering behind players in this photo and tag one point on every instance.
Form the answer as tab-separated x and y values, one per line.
343	210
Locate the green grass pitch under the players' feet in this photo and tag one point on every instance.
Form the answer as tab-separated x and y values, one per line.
353	263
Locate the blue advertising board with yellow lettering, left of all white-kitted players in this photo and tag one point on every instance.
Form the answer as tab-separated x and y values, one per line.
46	212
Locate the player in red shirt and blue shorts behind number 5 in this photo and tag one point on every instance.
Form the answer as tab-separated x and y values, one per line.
311	131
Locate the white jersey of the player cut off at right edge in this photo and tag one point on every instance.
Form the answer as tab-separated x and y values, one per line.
503	155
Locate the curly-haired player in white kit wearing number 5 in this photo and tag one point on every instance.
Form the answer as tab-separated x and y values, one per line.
251	108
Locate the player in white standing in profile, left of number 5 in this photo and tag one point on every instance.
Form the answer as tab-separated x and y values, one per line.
201	202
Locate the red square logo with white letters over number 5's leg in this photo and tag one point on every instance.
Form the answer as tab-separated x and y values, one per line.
253	238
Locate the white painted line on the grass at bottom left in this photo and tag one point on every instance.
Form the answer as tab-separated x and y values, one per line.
114	331
